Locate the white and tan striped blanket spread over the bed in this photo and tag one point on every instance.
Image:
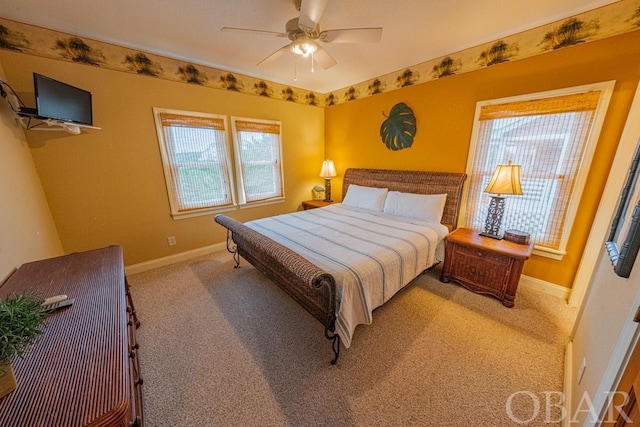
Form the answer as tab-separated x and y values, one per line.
371	255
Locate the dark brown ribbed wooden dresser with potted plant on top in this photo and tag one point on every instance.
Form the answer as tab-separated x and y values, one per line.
83	371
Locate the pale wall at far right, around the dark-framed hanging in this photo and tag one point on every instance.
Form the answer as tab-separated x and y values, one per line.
604	330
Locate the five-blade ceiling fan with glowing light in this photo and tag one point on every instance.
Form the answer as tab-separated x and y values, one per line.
304	33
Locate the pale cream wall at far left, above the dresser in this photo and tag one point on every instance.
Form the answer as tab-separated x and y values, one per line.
27	230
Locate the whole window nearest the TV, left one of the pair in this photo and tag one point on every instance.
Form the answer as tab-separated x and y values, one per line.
196	161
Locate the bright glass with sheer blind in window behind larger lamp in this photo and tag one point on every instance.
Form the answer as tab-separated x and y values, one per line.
543	145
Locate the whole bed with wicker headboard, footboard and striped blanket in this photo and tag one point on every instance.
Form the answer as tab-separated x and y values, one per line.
343	261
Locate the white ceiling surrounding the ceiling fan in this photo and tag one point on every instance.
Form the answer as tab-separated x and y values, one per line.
415	31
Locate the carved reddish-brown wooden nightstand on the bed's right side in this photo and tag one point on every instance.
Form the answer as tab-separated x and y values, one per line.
484	265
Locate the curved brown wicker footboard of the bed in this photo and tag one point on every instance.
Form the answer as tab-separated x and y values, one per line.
313	288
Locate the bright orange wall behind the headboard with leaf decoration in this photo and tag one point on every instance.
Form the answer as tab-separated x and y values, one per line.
445	108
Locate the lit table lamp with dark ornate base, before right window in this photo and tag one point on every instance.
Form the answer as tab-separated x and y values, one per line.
505	180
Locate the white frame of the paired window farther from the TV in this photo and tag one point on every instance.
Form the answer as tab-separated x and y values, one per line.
239	174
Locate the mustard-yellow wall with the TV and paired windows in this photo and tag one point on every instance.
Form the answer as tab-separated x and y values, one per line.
107	186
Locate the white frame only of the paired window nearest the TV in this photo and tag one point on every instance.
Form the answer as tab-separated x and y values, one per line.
167	164
